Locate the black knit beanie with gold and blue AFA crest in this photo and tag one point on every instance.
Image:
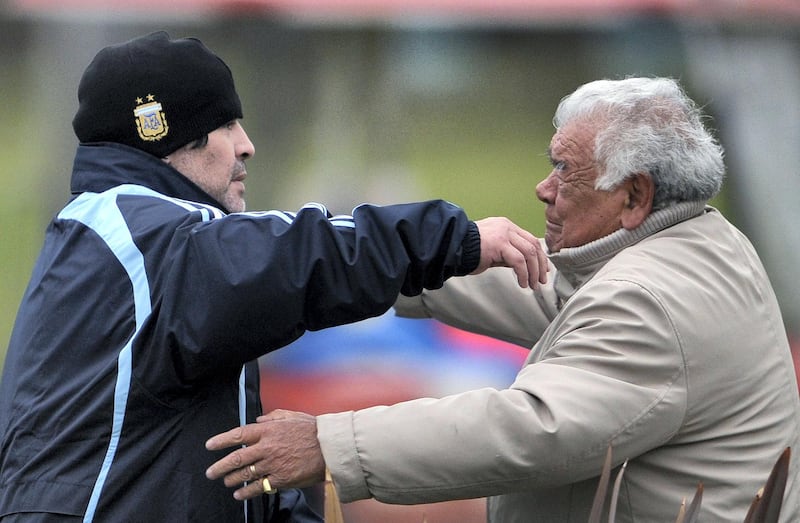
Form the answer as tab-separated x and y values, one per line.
154	94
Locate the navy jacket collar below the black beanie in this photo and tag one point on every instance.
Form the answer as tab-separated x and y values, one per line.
103	165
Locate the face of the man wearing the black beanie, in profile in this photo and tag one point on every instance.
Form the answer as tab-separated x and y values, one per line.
218	167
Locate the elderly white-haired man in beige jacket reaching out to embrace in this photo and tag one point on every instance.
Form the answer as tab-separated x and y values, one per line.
658	333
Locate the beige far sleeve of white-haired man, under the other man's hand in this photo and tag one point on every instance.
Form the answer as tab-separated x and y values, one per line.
490	303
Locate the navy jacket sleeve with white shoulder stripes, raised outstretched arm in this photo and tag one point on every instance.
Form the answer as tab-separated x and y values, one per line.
248	283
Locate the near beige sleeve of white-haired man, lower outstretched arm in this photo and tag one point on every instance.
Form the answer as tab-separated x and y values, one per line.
610	370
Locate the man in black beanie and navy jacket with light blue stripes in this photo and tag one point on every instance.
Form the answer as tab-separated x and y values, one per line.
155	293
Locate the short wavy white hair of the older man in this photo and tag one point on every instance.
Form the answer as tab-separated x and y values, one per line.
648	125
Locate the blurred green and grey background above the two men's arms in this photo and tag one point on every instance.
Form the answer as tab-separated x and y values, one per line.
415	105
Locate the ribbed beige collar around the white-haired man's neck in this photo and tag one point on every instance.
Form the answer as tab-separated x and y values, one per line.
577	265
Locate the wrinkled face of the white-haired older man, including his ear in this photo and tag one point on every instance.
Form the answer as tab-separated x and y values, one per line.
576	212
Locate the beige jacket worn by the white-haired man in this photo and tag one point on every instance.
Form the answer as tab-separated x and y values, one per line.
666	341
